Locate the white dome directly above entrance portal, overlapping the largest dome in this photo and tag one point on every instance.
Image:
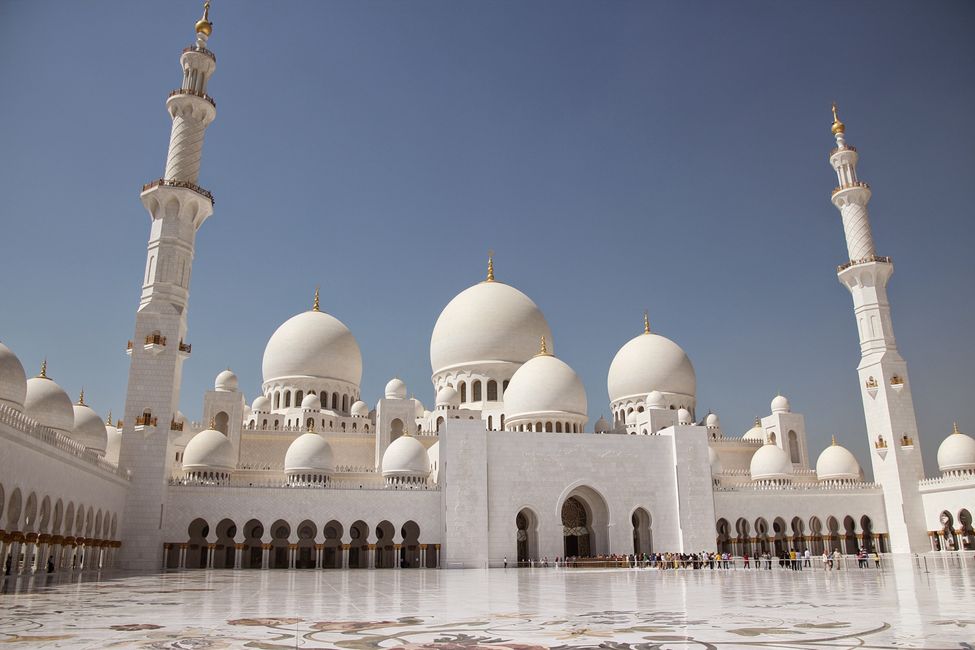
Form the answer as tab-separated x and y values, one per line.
545	384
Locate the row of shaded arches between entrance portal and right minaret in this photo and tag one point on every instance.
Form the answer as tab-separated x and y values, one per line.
777	536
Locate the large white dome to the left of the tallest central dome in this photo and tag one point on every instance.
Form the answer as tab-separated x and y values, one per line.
313	344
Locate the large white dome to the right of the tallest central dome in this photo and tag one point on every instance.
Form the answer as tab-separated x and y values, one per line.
650	362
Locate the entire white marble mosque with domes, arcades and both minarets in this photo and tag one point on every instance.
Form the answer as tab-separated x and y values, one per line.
504	464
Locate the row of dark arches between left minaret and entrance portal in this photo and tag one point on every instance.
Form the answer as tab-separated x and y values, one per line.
307	546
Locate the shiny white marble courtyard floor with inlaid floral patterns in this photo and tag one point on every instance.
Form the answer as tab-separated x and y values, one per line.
898	607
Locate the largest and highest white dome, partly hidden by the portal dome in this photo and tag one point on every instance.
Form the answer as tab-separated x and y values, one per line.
490	321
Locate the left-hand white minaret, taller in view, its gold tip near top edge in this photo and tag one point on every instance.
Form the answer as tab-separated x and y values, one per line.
177	206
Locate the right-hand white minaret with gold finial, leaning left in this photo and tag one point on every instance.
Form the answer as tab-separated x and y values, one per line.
895	449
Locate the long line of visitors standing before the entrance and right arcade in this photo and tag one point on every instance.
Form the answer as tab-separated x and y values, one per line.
796	560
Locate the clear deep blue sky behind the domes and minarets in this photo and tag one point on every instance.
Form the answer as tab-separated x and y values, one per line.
617	156
